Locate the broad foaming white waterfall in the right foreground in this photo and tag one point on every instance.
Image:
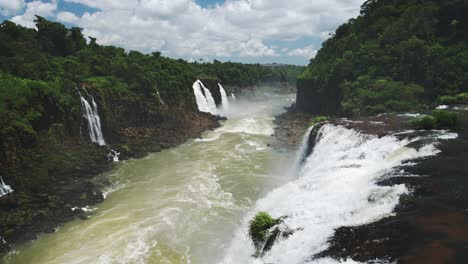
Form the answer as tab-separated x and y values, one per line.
336	187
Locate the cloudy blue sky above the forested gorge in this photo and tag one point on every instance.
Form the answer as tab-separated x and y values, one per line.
249	31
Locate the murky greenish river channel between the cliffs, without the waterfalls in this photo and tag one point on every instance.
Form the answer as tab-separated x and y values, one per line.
181	205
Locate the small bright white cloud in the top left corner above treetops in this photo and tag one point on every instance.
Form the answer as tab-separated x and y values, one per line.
44	9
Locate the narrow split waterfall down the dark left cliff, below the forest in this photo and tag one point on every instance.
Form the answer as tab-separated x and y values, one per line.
91	114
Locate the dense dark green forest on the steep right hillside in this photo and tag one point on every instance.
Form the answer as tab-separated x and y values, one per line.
397	55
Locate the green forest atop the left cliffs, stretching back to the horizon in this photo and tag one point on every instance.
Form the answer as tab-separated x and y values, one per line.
40	70
